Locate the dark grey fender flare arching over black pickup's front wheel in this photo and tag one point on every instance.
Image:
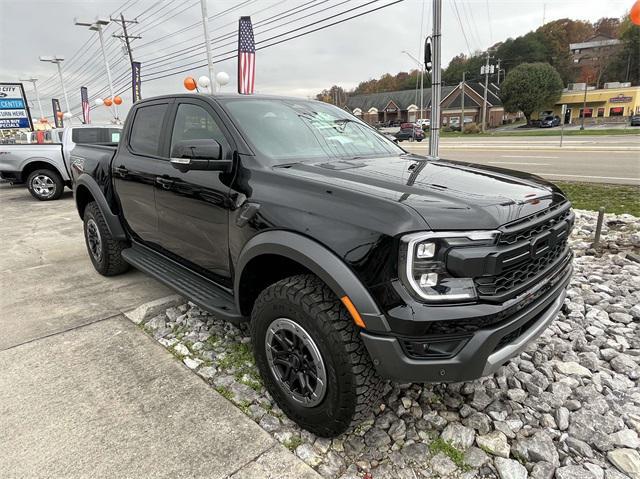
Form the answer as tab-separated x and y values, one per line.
318	259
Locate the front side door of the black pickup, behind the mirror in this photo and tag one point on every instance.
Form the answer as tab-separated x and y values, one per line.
193	206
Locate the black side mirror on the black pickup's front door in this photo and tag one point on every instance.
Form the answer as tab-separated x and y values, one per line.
198	155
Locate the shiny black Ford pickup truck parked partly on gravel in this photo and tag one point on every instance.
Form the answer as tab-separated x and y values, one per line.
352	260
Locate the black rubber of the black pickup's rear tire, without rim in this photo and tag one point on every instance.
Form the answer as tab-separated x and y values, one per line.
110	262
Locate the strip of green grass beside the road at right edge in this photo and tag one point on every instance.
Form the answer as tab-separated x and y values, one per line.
591	196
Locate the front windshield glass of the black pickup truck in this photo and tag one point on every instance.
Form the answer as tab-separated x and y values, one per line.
290	130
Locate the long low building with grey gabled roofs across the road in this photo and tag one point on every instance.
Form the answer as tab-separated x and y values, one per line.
404	106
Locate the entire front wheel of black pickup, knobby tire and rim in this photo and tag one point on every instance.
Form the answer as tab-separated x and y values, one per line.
311	357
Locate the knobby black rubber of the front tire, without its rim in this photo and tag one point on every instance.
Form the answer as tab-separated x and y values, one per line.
353	386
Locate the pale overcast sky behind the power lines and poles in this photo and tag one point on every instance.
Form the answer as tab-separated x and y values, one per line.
344	54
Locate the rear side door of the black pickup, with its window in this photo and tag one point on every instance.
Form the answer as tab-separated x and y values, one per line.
137	164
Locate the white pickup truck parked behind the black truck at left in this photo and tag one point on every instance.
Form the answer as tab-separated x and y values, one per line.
46	168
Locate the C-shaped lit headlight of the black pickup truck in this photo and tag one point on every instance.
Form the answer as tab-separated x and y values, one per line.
422	264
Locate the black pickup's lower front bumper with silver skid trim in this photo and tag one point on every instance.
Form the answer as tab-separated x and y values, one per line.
482	353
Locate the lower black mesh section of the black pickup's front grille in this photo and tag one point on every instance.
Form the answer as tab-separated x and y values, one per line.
520	274
